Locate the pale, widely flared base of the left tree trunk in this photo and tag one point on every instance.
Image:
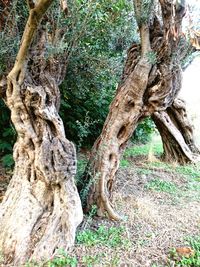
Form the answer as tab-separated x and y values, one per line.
36	220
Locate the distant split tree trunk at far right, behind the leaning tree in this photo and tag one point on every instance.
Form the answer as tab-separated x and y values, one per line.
177	134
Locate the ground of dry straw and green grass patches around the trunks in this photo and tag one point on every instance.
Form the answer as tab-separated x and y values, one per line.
160	206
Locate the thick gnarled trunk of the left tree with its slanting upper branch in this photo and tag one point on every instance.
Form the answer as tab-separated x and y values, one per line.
41	208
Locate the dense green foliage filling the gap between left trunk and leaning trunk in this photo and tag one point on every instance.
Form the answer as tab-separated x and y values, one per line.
103	31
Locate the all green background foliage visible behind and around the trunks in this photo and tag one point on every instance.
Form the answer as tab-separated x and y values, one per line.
95	40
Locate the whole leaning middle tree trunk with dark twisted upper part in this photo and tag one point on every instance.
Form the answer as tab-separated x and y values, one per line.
151	80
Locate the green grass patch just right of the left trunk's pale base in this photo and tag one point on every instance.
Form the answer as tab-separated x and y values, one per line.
111	237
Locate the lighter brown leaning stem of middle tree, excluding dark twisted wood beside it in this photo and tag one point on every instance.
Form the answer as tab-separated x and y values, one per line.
122	119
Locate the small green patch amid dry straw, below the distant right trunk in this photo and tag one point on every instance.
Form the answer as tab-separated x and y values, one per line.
161	186
